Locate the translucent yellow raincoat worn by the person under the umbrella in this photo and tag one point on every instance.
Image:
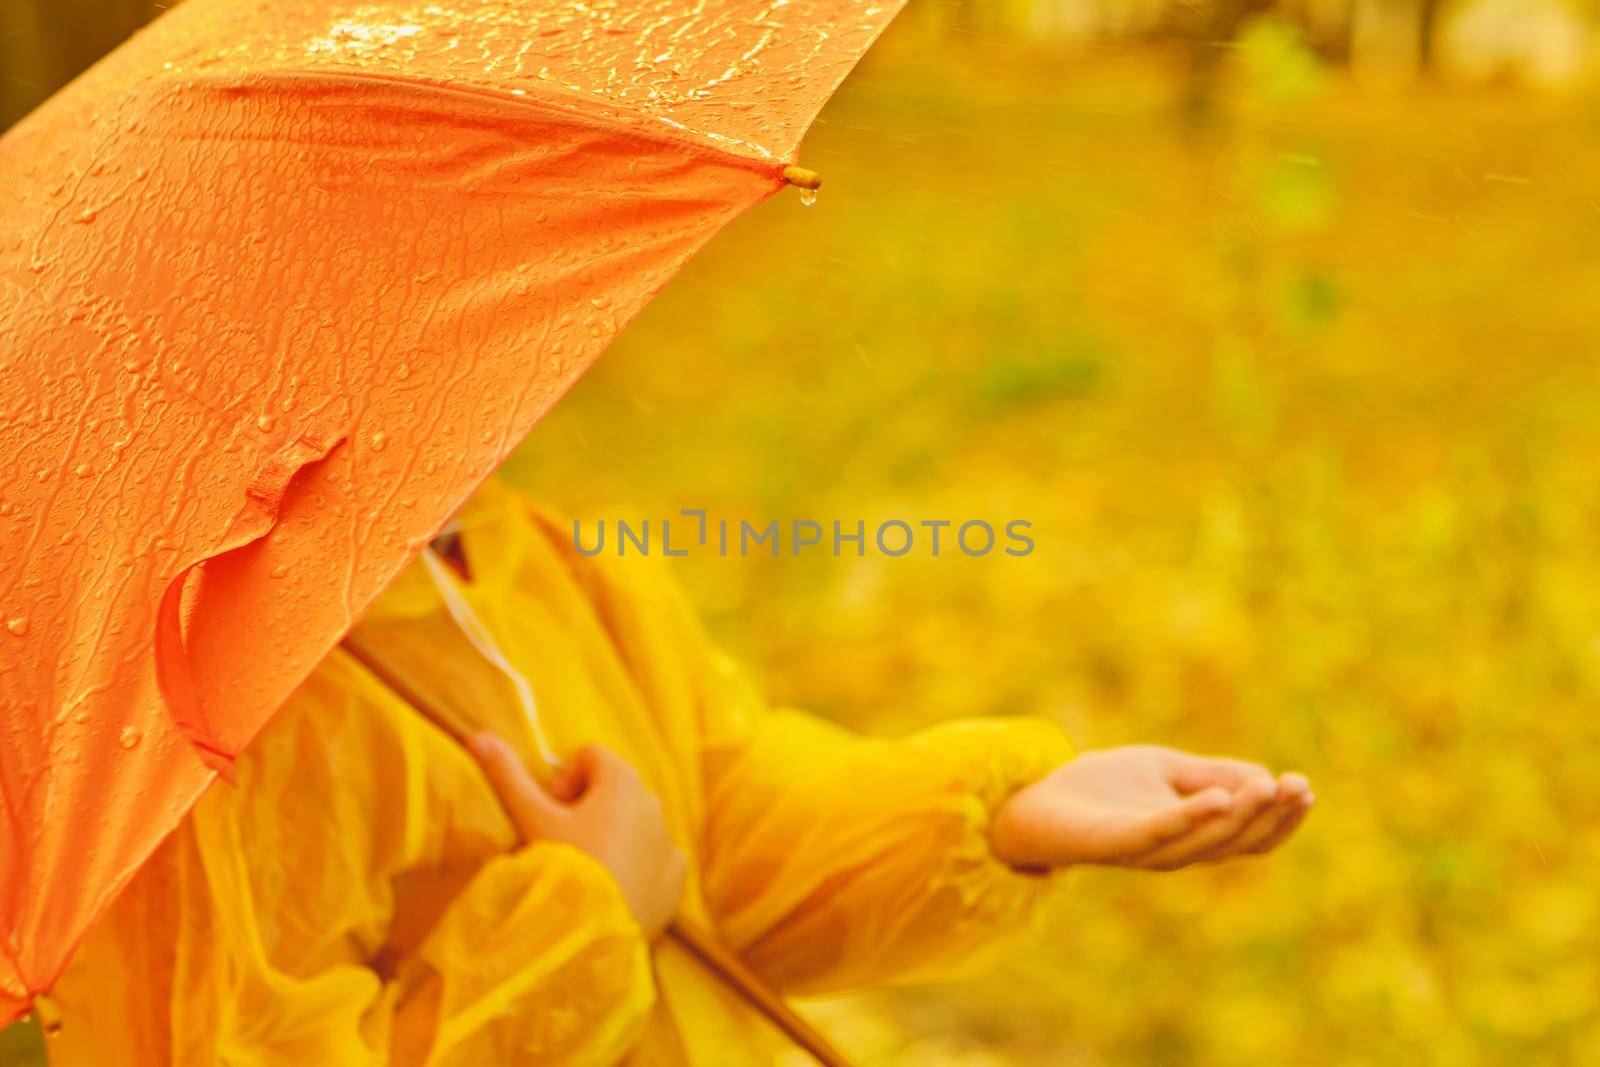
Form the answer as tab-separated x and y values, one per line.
359	897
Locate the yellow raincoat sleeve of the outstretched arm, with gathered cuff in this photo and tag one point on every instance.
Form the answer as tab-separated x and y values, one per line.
828	860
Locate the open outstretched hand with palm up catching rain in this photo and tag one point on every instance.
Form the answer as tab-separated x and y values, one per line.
1150	807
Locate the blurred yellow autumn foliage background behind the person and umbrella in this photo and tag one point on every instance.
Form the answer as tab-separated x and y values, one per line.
1279	324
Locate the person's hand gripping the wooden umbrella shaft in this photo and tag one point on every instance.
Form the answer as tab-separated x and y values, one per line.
596	804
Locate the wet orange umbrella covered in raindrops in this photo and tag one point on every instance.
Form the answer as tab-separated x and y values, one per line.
279	286
